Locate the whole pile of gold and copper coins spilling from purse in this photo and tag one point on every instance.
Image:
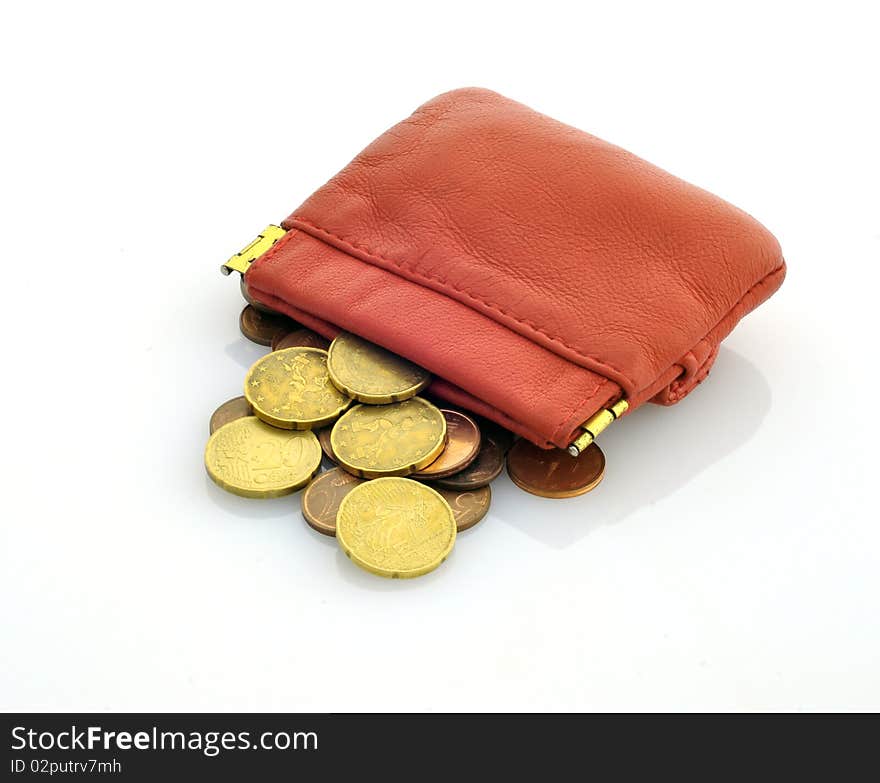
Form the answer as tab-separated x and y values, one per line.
403	474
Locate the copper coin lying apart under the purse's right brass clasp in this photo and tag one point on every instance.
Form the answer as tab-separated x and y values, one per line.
554	473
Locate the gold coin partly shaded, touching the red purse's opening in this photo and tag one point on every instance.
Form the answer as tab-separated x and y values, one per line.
371	374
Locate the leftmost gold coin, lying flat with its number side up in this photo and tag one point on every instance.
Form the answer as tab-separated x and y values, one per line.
250	458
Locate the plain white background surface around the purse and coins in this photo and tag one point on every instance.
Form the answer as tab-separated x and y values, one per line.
728	561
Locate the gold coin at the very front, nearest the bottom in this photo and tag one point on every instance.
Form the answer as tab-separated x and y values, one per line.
395	527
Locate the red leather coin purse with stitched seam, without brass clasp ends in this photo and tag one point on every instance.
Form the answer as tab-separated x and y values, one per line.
538	271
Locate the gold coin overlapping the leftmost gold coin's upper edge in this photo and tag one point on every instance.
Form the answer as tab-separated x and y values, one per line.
291	389
